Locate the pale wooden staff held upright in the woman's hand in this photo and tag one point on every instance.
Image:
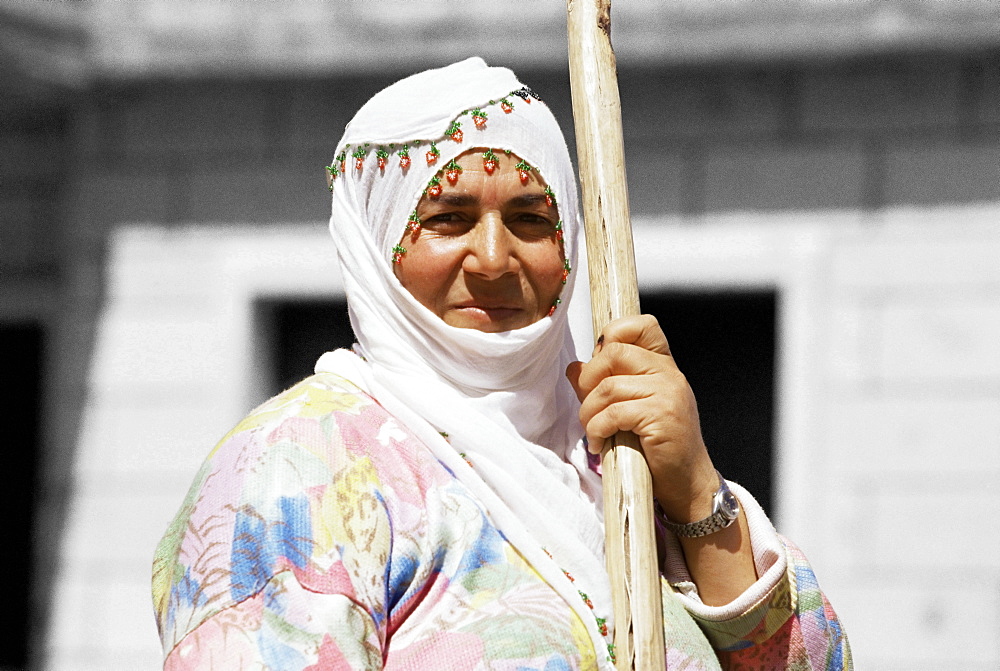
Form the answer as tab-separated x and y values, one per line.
630	542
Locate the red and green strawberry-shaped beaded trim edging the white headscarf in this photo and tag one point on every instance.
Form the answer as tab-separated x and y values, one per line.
451	170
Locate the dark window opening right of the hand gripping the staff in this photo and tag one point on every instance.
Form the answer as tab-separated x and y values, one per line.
724	343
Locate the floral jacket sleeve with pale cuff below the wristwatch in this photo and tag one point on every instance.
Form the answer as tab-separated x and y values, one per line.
782	621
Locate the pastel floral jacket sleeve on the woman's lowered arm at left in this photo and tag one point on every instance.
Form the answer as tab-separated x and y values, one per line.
277	559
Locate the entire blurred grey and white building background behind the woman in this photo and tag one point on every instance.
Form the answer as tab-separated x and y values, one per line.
815	188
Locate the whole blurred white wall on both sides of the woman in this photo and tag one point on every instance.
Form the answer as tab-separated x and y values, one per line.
888	411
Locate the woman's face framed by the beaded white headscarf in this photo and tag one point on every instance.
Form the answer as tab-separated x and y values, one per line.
486	255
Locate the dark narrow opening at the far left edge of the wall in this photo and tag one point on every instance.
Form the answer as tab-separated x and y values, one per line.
22	347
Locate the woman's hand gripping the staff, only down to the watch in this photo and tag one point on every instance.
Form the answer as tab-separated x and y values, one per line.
633	384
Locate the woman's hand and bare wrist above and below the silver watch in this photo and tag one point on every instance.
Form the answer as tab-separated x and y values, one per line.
633	384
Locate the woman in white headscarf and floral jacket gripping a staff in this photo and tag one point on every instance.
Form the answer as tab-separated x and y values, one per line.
427	501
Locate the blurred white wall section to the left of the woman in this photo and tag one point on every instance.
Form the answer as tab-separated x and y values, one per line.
172	372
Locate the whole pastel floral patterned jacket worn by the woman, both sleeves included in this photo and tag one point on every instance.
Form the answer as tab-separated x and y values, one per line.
320	534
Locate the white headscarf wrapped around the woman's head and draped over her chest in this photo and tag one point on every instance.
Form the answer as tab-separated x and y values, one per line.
502	398
